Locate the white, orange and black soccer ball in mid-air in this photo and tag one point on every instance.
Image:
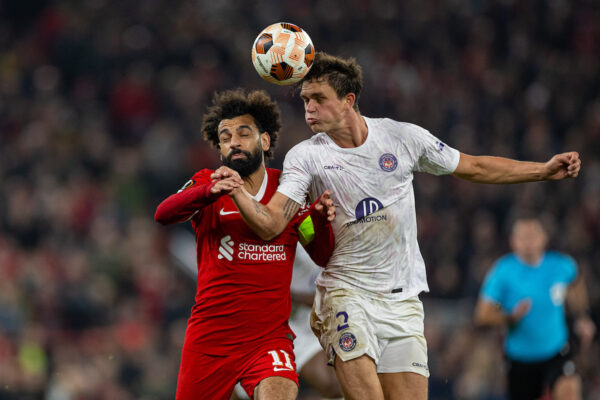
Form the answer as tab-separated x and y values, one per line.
282	53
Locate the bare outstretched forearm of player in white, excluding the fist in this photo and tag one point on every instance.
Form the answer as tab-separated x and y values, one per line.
489	169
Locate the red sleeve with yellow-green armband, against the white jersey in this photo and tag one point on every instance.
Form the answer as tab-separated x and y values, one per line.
316	236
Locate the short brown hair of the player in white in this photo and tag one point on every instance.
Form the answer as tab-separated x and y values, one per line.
344	75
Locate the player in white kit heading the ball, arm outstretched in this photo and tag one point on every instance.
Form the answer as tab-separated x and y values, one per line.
367	313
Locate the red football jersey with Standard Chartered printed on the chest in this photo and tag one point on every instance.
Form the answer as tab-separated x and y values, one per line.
243	289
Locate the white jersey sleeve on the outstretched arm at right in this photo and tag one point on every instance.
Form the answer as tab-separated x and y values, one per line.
429	153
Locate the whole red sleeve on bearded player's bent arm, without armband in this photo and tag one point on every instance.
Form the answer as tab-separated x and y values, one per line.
191	198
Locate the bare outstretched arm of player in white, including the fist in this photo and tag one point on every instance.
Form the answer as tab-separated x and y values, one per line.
488	169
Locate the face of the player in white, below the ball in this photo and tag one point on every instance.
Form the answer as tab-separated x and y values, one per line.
323	110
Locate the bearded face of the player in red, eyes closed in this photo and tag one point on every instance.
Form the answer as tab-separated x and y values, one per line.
241	144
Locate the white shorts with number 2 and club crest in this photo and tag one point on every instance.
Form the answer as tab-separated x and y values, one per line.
349	324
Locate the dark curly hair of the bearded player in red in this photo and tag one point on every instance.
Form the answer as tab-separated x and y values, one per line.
233	103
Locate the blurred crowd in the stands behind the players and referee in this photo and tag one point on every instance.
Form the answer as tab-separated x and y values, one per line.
100	111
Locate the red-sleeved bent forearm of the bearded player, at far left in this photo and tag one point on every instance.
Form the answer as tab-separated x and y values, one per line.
181	206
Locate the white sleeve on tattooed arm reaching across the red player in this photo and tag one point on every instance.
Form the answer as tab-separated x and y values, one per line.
295	178
